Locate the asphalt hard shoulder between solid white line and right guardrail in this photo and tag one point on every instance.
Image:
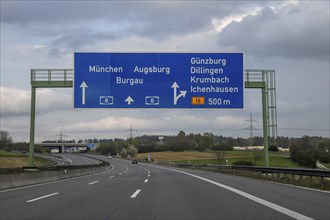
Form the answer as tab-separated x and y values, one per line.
305	201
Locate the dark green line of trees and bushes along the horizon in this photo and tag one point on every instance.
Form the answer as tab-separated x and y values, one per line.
306	151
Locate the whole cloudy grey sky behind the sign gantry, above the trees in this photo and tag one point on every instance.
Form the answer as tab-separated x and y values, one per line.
290	37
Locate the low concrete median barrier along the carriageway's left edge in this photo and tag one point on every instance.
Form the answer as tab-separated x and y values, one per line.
14	180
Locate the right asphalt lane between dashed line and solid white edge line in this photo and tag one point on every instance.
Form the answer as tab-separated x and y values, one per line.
171	195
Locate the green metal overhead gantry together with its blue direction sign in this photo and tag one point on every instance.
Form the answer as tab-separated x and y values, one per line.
180	97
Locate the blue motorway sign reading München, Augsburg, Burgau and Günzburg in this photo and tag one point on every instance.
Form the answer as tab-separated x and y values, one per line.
158	80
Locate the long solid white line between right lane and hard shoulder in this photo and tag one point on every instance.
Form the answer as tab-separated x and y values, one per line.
266	203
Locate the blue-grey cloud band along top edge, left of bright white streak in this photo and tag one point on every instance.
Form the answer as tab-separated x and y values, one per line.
152	19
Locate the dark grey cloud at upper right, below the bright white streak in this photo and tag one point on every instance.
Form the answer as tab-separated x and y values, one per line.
294	32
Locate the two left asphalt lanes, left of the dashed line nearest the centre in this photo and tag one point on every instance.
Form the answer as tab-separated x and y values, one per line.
79	198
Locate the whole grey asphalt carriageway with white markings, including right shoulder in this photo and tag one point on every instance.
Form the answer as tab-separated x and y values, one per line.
146	191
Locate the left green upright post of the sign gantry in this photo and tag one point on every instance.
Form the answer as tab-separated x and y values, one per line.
32	125
